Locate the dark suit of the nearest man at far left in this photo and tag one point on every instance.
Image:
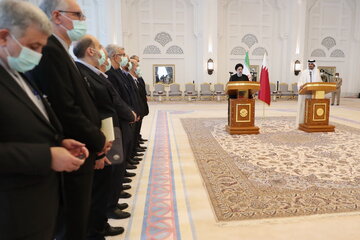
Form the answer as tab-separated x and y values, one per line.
28	186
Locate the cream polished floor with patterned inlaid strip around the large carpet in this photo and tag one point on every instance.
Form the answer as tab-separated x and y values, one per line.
169	198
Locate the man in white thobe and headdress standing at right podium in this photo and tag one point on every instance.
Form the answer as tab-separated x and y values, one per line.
311	74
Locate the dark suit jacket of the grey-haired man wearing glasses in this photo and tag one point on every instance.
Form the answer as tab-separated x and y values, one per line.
69	94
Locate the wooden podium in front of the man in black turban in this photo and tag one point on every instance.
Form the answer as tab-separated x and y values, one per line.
241	110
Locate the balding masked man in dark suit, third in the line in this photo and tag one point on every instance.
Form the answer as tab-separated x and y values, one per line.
91	57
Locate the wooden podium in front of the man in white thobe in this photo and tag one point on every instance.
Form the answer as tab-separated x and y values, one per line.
317	108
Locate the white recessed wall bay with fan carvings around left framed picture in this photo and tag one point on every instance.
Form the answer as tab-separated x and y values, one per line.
161	32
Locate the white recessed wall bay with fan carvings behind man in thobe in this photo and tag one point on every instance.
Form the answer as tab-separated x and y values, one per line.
331	38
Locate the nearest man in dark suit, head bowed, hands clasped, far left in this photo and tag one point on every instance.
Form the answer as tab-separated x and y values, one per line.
31	143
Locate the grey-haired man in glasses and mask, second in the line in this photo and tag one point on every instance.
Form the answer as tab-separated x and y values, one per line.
70	96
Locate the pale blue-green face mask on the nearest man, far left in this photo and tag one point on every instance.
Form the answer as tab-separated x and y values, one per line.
26	61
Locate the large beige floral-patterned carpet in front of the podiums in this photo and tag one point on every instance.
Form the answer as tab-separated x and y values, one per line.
281	172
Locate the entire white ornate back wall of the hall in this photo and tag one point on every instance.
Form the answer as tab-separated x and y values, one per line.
189	32
